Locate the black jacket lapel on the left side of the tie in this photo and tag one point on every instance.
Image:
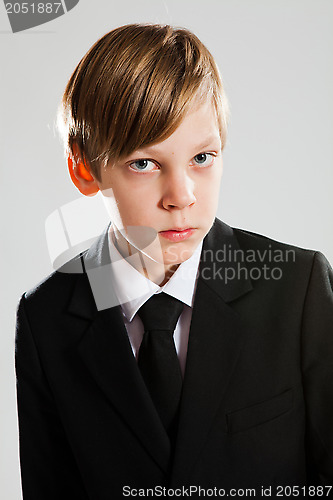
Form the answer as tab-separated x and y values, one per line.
107	353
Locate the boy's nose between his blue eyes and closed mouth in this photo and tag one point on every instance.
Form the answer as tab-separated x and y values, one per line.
178	191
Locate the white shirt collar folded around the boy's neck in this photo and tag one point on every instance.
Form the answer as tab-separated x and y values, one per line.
133	289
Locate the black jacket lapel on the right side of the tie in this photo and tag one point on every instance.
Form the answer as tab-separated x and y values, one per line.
215	341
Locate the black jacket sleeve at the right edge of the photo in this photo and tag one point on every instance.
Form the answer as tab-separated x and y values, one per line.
317	369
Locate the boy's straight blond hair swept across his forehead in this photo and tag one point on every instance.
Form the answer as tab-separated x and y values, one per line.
134	87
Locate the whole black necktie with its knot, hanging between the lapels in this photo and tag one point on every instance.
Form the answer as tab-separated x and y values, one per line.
158	360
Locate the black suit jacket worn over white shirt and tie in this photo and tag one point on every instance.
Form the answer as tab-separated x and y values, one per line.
257	402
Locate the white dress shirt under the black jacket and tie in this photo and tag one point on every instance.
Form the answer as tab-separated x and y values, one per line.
133	289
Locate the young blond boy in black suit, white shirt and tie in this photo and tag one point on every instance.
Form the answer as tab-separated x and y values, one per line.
177	352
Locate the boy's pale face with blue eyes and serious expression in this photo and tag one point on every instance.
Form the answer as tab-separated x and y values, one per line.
168	186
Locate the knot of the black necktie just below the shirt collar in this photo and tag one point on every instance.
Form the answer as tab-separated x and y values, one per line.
160	312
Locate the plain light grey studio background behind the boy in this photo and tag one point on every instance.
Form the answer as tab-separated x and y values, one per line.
275	57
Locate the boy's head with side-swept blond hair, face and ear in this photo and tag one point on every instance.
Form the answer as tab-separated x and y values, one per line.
145	120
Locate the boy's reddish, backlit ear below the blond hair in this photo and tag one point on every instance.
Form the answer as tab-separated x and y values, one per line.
80	174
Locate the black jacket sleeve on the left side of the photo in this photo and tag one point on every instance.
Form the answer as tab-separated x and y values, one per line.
48	468
